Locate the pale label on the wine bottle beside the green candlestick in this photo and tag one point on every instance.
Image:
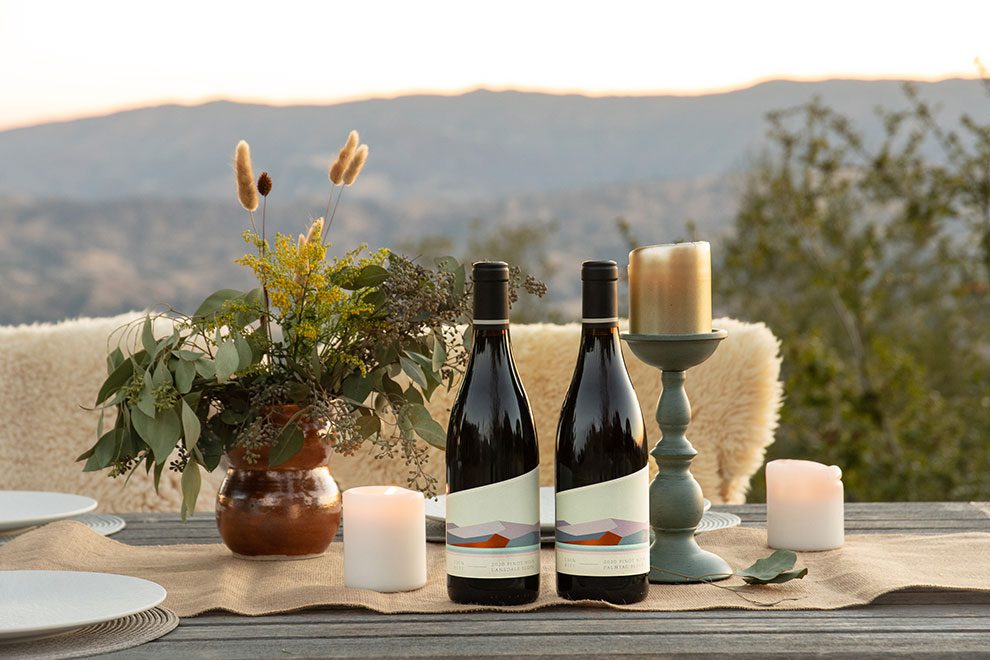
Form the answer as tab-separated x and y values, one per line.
603	529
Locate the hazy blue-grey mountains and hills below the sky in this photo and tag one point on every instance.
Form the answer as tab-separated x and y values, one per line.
97	215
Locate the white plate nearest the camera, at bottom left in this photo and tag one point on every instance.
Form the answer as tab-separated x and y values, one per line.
38	603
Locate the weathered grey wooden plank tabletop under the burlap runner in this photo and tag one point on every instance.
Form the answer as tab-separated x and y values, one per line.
910	622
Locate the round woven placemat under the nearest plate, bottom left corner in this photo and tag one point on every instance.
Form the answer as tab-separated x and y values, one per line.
124	633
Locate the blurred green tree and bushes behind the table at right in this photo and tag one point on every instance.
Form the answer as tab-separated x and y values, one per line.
871	262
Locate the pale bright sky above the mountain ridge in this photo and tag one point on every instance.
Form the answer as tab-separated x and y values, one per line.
65	59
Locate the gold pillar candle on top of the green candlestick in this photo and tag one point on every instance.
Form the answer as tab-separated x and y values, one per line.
670	289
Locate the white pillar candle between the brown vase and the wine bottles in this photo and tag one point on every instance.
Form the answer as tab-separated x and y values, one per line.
384	538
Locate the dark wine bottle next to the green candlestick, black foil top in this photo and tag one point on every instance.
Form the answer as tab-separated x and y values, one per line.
602	543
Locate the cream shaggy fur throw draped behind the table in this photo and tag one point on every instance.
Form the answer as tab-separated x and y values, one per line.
48	372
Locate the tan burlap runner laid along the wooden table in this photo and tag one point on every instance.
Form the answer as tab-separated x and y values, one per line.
207	577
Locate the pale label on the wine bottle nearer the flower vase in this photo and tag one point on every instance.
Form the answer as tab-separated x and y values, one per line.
493	531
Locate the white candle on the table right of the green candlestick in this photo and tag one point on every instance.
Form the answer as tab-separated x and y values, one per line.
804	506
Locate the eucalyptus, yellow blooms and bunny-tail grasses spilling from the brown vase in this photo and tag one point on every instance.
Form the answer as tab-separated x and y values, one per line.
356	343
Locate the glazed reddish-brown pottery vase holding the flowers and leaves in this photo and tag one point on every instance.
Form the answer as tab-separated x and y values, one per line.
291	511
